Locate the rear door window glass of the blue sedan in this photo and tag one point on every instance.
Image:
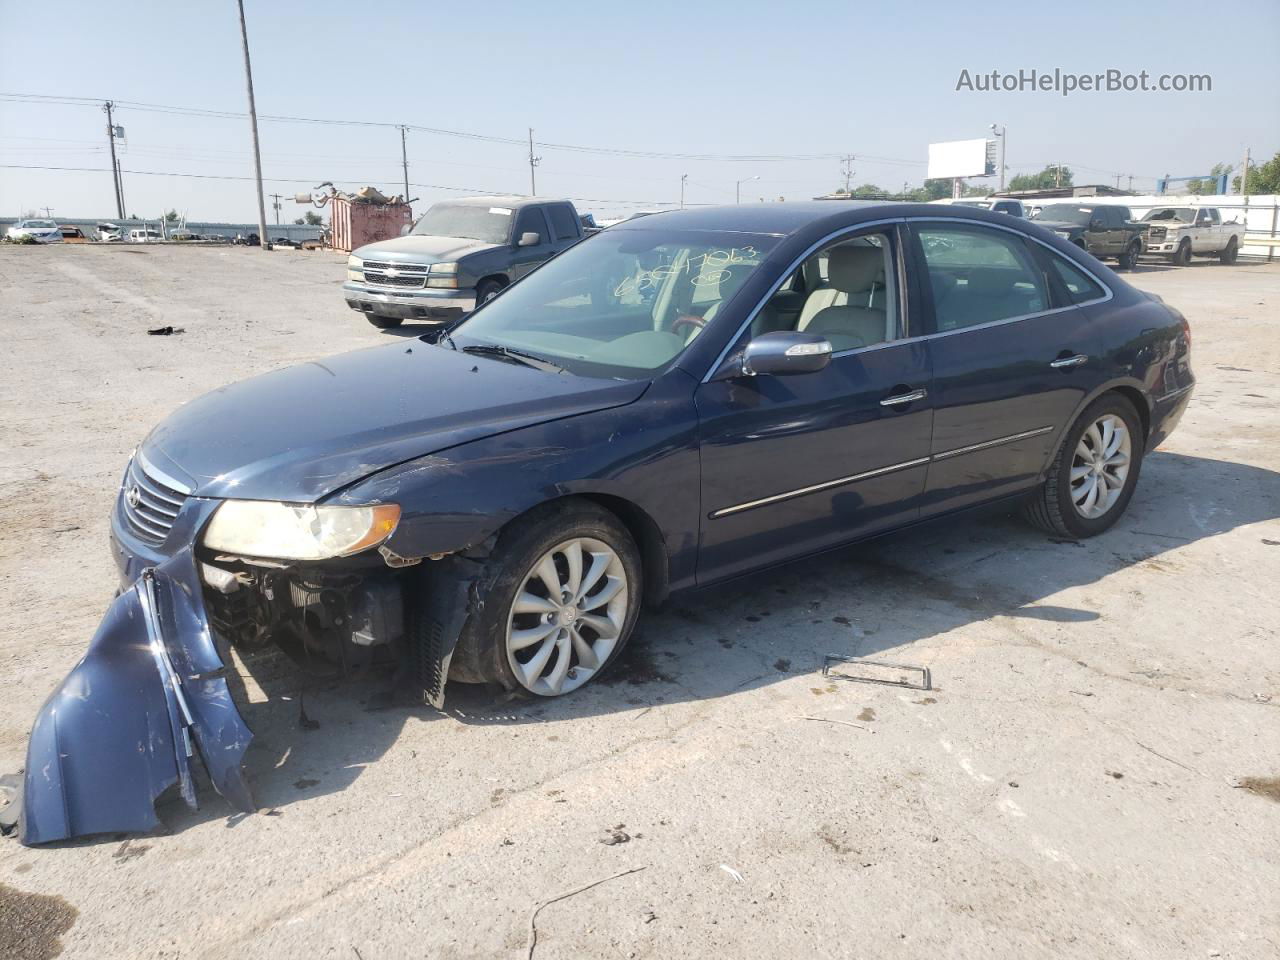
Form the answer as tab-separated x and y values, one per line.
979	276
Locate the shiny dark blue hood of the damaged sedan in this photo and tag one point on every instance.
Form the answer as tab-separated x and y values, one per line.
305	432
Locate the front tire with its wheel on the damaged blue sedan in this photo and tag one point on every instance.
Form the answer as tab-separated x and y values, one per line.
505	641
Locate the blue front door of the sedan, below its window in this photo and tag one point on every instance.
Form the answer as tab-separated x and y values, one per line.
812	447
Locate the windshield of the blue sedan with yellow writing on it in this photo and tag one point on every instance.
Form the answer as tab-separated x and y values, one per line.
621	304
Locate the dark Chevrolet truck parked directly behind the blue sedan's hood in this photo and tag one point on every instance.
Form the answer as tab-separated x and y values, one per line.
460	254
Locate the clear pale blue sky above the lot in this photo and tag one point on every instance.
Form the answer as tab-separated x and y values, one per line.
749	79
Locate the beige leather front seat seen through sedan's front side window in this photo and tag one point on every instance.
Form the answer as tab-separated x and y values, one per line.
852	310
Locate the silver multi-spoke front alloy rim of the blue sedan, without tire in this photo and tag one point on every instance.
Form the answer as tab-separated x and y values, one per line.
568	616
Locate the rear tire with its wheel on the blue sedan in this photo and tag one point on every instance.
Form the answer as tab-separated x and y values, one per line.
1054	508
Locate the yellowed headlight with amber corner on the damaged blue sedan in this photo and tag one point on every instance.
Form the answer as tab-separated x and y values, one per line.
299	531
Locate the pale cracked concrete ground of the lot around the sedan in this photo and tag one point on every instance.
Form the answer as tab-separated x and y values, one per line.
1077	787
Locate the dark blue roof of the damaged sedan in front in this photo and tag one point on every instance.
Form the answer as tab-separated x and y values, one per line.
785	220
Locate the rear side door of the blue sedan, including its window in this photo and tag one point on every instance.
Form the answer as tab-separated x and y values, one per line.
1009	367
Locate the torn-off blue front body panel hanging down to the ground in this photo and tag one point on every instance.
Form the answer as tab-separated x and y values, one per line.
126	725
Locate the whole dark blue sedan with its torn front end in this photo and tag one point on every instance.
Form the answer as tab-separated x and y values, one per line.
675	403
